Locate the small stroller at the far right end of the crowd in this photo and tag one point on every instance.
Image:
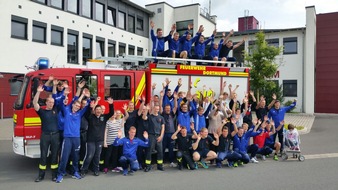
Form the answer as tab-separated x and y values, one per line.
292	147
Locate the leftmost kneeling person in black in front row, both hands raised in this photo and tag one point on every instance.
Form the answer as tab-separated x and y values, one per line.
184	142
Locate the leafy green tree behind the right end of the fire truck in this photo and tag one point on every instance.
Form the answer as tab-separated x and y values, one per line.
261	59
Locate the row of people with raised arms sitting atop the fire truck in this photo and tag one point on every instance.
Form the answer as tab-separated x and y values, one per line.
180	47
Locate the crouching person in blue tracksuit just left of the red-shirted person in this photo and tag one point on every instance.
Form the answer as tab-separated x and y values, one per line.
241	141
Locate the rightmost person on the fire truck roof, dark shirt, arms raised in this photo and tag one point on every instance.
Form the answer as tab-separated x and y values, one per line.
227	46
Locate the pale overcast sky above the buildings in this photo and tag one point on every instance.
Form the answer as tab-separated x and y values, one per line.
271	14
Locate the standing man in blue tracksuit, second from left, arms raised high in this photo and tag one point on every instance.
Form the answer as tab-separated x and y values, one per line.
71	142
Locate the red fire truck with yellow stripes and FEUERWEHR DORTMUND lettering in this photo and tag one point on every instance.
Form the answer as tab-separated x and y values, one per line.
123	85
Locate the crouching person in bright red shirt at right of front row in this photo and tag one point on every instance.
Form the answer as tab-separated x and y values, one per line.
260	139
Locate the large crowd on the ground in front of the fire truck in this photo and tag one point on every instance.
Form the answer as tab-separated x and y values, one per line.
199	129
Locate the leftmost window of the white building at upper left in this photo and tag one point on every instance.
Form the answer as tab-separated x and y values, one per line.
19	27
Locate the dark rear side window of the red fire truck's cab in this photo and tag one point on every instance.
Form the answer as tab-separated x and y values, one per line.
117	87
